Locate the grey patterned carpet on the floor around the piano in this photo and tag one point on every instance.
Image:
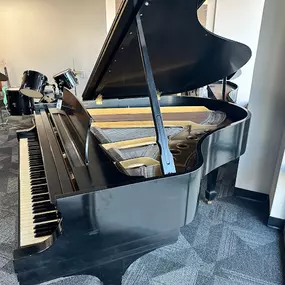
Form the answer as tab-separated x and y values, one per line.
227	243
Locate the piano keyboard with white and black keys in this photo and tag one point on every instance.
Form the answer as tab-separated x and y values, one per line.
38	217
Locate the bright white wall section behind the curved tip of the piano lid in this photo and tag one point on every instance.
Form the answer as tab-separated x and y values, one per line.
240	20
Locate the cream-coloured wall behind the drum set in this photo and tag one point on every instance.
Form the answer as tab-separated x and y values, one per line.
46	35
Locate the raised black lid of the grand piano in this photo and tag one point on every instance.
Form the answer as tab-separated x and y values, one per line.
183	54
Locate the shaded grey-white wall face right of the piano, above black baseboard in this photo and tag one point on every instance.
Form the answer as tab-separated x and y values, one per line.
259	167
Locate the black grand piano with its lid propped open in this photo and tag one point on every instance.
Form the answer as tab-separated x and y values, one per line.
105	181
